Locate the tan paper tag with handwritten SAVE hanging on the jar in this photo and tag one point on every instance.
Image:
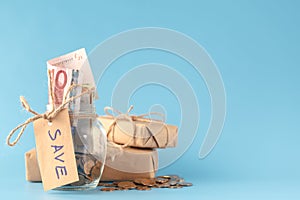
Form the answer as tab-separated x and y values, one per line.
55	151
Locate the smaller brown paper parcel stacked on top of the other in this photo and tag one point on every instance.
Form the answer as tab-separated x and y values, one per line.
139	132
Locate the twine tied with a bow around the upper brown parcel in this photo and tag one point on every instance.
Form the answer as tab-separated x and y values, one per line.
141	118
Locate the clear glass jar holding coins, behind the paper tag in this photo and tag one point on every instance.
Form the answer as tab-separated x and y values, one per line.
89	139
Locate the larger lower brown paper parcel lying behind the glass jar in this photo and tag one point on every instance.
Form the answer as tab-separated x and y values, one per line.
121	164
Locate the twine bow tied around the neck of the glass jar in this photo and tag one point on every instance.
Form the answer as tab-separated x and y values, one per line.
47	115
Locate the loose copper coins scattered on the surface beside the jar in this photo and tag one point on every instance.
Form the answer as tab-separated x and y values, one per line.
168	181
